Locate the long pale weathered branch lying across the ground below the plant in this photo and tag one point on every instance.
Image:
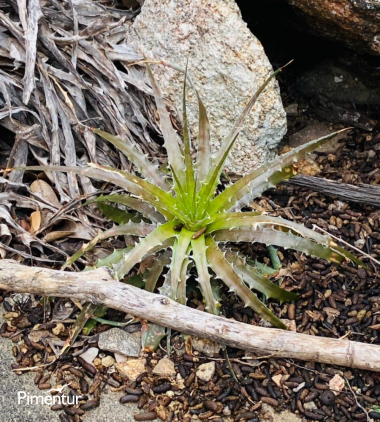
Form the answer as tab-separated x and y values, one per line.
99	287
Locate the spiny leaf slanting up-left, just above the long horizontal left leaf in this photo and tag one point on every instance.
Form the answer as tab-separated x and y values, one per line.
145	167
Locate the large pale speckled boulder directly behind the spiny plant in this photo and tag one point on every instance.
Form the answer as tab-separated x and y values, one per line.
227	64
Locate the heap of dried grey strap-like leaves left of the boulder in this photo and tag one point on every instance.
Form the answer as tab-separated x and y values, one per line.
64	67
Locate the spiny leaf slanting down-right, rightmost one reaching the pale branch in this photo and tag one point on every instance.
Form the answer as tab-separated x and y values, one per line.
224	270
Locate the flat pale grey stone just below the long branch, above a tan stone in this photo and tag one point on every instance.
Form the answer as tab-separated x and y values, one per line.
118	341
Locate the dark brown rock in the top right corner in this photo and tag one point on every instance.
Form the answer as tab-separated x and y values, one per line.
354	22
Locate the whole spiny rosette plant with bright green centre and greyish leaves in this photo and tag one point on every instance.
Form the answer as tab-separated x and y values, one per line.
187	218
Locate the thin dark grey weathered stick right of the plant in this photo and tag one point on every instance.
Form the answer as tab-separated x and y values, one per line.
362	193
